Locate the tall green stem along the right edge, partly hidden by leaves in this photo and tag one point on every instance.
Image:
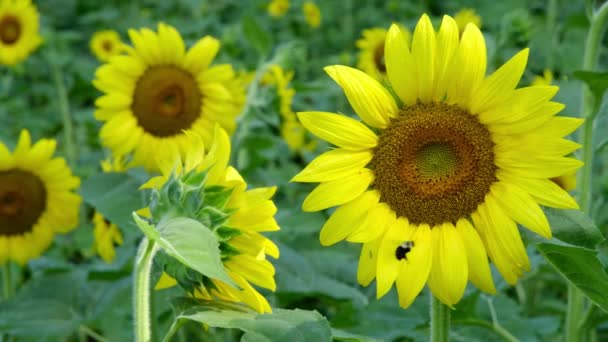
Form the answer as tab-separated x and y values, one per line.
589	108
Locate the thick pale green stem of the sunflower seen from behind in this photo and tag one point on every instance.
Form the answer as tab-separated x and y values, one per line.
141	287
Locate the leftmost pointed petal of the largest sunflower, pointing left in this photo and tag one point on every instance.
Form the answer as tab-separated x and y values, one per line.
334	164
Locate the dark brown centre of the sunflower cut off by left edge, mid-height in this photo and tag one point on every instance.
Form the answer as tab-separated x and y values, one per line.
22	201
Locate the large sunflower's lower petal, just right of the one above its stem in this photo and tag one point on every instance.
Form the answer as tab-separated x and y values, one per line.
477	258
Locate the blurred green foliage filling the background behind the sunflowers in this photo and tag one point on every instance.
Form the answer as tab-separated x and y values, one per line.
69	288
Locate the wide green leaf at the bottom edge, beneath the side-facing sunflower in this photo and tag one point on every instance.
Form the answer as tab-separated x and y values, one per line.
280	325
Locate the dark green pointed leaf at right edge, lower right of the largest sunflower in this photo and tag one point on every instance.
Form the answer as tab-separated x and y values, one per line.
582	268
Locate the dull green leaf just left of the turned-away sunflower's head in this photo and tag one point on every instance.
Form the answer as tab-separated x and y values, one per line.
115	196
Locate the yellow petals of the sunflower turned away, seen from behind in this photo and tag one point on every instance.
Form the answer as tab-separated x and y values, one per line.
249	212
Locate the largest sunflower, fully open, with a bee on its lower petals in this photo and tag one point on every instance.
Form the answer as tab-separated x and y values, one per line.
433	182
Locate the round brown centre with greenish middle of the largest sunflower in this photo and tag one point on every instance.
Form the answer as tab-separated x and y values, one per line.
434	163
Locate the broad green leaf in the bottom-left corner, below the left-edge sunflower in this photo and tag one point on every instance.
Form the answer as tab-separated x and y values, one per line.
37	317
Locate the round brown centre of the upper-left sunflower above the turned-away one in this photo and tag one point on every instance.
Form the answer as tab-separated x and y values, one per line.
166	100
